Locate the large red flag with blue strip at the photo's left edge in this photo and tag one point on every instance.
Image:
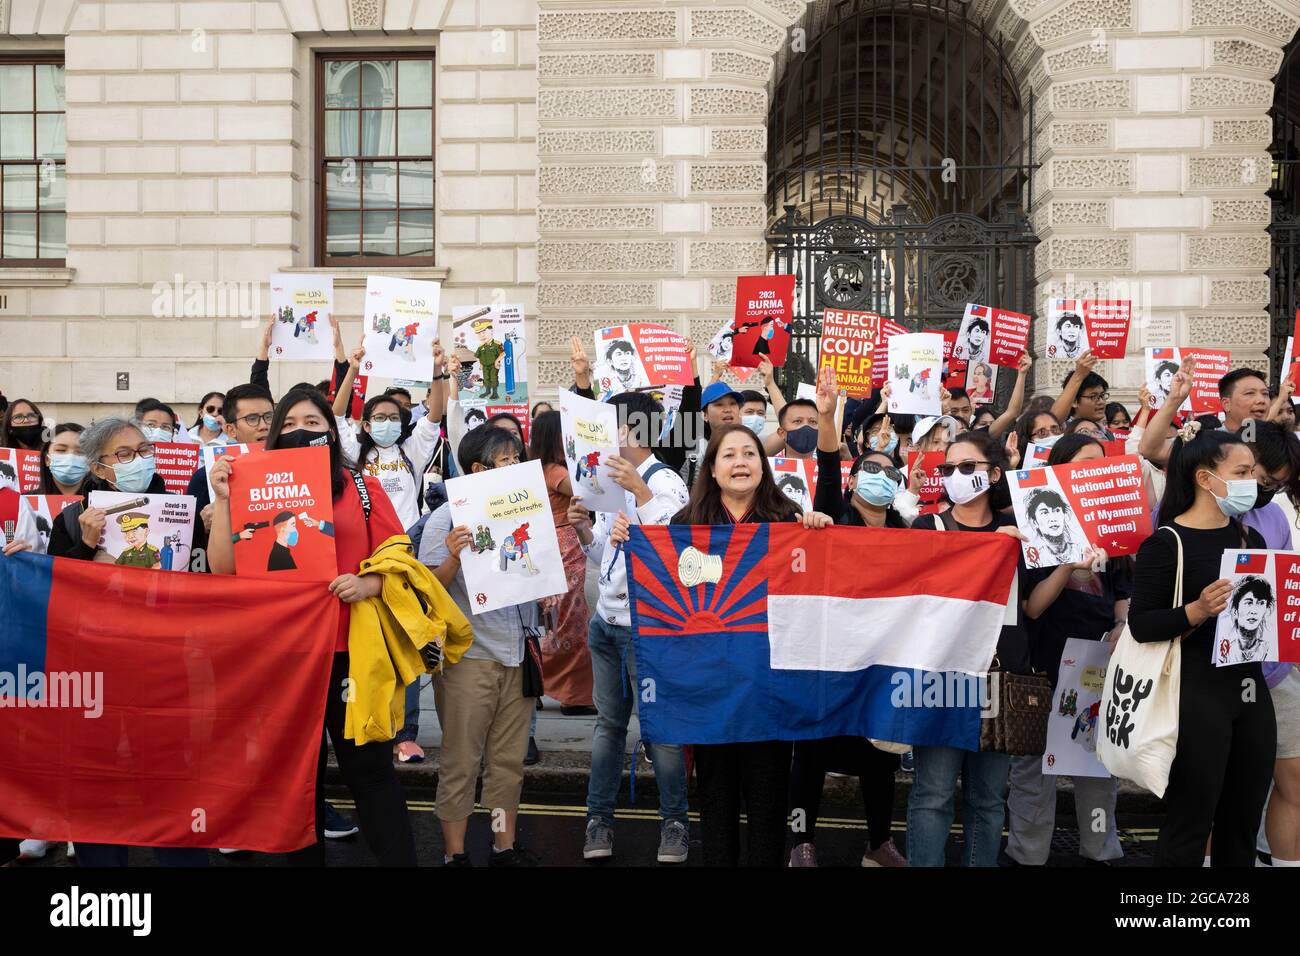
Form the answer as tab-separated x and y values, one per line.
161	711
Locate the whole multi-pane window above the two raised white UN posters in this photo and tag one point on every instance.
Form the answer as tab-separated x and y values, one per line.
375	136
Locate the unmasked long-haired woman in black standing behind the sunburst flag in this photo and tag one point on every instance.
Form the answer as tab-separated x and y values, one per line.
735	486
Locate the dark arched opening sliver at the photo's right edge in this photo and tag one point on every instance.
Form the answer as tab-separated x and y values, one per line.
1285	201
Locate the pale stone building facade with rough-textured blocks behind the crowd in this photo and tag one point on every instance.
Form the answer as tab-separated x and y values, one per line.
603	161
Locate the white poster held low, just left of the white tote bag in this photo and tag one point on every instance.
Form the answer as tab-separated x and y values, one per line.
1076	707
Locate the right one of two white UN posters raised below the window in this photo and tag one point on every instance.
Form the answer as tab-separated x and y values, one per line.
401	323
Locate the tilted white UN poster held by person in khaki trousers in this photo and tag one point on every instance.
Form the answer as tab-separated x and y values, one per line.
515	555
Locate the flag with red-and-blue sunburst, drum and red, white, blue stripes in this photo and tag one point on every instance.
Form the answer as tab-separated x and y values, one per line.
774	633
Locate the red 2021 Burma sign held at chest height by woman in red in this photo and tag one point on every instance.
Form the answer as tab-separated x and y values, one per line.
283	512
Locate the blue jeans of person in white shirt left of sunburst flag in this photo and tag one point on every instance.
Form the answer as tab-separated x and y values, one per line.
612	657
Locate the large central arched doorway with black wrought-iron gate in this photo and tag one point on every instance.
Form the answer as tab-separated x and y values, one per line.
900	161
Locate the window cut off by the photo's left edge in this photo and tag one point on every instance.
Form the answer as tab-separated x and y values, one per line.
33	152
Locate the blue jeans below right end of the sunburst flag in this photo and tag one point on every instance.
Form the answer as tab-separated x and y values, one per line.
930	810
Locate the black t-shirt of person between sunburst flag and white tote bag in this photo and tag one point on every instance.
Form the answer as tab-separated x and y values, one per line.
1086	609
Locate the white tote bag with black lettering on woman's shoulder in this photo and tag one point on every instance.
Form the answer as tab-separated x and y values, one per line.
1141	704
